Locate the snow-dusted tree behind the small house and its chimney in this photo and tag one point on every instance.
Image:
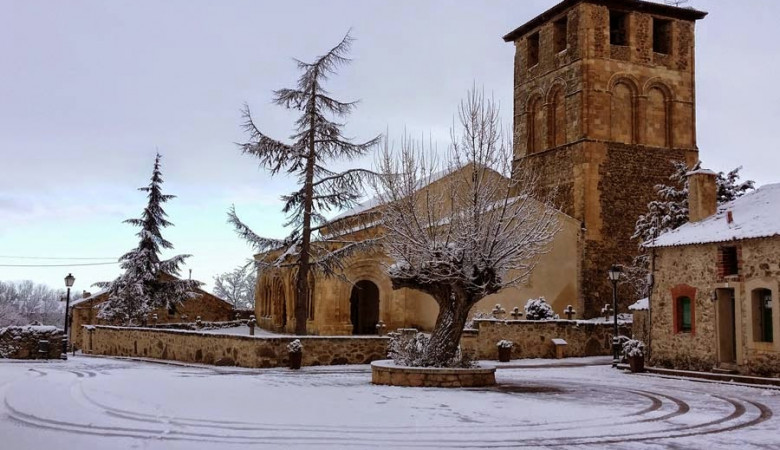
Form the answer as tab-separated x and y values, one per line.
670	211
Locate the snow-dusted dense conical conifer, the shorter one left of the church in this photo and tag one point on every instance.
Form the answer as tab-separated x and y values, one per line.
148	282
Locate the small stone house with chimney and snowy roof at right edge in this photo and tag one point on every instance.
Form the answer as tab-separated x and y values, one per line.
715	301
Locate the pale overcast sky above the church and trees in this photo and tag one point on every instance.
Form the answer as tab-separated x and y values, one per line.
90	90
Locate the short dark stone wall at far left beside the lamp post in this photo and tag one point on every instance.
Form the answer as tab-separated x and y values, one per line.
22	342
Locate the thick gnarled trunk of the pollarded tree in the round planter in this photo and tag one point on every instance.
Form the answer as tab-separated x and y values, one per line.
445	338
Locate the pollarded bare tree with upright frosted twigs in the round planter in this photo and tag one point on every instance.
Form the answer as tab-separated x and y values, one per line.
464	233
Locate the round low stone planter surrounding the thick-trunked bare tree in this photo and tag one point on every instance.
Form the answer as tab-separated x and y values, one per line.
388	373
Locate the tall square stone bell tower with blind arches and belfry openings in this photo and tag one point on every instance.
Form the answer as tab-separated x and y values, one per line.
604	100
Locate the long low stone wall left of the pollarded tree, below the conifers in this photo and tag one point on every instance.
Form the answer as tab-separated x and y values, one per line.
230	350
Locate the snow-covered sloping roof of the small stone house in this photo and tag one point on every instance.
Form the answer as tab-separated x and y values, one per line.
755	215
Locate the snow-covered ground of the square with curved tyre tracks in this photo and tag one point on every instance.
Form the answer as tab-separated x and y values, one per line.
99	403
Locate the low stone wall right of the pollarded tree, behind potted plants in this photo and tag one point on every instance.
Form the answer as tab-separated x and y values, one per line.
533	339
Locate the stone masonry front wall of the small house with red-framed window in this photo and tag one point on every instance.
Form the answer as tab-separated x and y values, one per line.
693	270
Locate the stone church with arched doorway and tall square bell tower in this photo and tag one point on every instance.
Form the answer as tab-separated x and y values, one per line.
604	101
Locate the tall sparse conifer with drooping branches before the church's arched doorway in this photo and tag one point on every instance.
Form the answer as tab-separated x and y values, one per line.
318	139
